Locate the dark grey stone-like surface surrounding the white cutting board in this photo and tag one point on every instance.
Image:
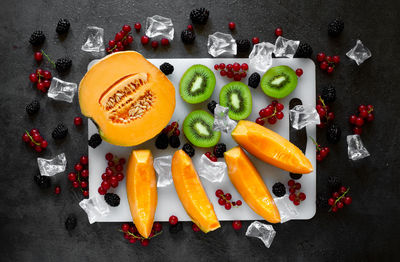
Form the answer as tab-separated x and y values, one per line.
32	221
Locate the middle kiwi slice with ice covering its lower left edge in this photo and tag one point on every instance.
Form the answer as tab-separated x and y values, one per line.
237	97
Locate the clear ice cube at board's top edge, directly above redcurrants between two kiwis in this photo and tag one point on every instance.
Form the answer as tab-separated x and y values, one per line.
220	43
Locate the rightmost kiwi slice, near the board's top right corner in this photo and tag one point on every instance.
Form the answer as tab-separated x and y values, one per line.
279	81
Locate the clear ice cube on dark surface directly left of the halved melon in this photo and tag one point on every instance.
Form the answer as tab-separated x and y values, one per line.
62	90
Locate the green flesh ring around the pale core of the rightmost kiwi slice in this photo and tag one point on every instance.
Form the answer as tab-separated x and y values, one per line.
281	93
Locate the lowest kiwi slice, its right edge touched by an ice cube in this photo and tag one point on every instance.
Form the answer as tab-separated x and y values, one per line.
198	129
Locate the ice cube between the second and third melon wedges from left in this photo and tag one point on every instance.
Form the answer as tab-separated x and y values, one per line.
212	171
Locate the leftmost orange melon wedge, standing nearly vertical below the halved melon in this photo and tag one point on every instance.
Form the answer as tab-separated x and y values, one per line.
141	189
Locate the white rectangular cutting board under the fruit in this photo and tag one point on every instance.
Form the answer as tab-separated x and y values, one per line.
168	201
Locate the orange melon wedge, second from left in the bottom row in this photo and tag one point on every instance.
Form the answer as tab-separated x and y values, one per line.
191	193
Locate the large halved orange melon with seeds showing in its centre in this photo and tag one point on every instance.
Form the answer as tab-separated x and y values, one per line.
128	98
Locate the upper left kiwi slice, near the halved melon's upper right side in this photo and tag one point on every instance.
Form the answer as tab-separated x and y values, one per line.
197	84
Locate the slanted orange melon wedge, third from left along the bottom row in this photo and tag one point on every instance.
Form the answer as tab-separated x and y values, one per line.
248	182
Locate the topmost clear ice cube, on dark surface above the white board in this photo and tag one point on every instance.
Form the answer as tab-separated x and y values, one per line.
159	26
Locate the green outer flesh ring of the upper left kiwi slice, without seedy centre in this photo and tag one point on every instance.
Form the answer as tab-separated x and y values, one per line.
200	98
